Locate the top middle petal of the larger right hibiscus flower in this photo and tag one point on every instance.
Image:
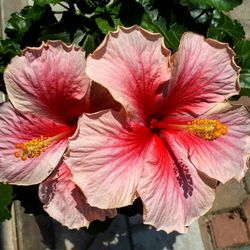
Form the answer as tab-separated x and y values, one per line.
132	64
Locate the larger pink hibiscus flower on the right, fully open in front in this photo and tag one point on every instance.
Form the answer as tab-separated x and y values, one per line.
175	132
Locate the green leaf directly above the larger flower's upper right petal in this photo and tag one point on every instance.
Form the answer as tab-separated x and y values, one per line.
224	29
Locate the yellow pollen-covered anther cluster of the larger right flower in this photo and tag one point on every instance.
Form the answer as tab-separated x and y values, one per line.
207	129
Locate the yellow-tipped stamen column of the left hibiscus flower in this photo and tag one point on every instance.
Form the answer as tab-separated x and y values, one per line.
37	145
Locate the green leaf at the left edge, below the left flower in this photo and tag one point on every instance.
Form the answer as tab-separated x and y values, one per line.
5	201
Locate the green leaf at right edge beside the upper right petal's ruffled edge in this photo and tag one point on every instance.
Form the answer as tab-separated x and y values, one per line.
242	50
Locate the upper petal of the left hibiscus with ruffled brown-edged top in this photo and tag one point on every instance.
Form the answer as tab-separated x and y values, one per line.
49	80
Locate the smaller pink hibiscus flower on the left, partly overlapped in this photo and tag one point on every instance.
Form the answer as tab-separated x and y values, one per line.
49	88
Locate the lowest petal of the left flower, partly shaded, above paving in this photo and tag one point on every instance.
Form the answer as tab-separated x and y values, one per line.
64	201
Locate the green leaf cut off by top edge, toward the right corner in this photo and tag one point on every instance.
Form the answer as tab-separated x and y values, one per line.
221	5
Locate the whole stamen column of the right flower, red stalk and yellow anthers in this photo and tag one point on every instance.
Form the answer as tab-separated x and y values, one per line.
203	128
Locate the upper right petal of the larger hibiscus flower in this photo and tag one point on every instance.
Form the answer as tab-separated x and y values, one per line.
204	73
